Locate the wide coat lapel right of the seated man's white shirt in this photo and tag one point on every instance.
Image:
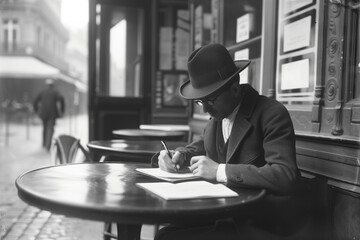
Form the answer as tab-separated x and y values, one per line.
241	124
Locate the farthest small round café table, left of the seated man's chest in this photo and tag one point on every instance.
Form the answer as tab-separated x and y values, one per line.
149	134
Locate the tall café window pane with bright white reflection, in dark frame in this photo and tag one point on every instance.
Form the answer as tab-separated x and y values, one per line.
120	50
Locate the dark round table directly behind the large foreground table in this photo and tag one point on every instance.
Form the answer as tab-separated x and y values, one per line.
127	150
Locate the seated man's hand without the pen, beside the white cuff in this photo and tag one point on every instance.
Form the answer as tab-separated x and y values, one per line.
204	167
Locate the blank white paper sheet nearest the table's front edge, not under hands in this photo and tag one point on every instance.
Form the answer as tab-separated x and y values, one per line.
188	190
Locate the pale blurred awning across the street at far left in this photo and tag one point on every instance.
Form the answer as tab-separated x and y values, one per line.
31	67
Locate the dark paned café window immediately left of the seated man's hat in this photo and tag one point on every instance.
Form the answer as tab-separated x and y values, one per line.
171	51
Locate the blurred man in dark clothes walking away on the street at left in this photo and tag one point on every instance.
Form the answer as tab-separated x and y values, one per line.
49	104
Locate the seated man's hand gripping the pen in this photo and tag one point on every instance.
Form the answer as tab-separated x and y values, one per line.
168	164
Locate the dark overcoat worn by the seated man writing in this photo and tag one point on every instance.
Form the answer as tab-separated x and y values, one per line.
261	146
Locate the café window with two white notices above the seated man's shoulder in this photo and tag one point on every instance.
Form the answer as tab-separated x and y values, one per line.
297	52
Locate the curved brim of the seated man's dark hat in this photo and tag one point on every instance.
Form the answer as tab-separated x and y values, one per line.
188	92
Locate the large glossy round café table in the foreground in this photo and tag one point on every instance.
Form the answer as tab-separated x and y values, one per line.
108	192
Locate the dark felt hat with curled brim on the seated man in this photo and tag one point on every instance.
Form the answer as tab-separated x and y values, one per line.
210	68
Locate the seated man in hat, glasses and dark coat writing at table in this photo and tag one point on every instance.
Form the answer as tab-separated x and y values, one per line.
248	142
